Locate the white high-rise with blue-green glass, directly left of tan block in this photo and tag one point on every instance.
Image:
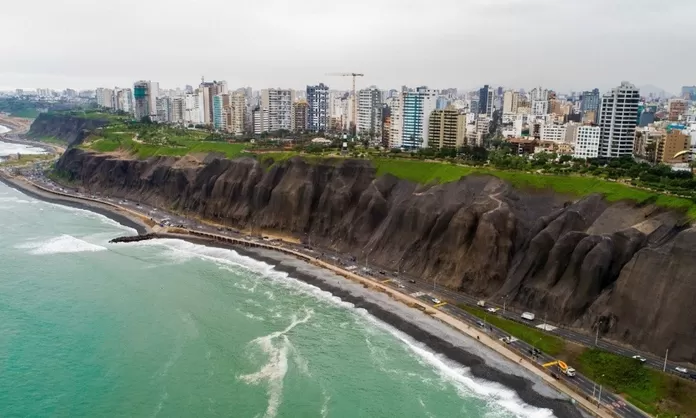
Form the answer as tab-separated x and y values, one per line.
417	106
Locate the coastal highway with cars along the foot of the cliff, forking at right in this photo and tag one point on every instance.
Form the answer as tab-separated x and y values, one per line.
416	287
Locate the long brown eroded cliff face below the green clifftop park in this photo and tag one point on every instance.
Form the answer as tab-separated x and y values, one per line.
578	261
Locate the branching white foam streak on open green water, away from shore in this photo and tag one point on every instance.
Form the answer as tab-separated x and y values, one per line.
274	371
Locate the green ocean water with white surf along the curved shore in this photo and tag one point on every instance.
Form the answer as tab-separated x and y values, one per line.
172	329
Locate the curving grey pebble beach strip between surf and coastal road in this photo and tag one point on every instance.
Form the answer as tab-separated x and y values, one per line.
487	358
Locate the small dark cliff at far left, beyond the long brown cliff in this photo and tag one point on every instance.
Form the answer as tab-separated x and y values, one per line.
71	129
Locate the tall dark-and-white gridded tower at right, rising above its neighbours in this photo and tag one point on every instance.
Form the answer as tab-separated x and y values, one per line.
617	120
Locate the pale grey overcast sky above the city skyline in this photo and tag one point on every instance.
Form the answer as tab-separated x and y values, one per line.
560	44
